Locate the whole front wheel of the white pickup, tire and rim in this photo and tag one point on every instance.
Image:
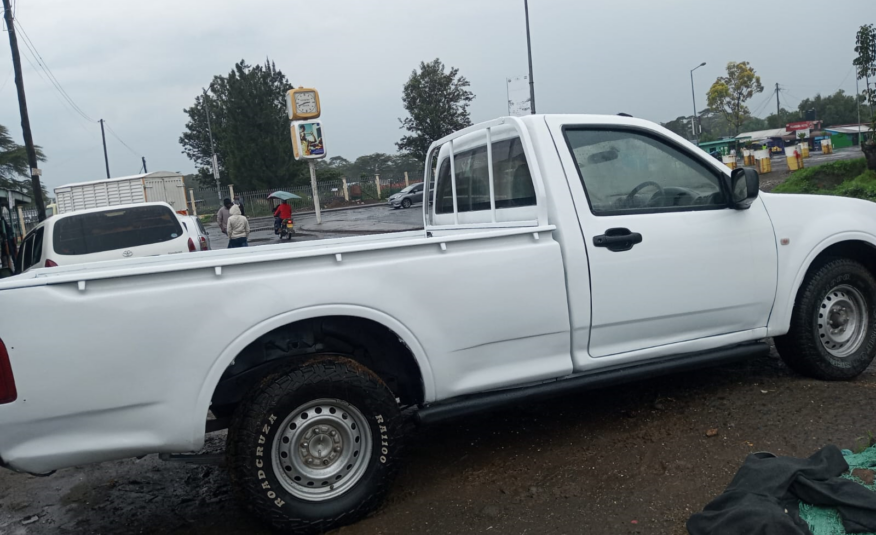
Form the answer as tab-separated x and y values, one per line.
833	324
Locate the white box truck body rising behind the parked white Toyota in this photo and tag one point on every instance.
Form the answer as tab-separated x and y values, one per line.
160	186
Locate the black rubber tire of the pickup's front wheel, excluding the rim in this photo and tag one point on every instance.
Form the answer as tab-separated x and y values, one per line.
802	349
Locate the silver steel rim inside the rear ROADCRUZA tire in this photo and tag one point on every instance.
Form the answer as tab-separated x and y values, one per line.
322	450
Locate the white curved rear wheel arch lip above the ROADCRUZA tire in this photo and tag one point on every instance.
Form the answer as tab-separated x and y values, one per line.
244	340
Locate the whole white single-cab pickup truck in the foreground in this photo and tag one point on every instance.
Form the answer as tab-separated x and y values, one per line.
561	252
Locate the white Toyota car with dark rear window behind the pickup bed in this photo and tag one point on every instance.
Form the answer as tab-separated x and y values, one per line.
109	233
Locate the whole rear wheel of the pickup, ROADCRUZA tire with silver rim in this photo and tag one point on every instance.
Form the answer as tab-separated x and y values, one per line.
316	446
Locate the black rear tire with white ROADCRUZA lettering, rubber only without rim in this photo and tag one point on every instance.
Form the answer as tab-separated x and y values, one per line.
257	422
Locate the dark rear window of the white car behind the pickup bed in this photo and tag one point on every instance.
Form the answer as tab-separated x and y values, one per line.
114	229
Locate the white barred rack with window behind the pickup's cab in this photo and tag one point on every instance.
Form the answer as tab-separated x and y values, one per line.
476	148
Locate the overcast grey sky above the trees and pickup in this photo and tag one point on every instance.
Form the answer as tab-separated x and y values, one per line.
138	64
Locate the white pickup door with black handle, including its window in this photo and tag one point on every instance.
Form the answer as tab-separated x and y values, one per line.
669	260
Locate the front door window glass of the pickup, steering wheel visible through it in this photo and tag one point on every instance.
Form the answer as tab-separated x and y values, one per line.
625	171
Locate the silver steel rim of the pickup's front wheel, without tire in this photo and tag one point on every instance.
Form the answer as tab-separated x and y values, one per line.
842	320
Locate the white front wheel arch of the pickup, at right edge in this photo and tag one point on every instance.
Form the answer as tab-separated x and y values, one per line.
858	246
